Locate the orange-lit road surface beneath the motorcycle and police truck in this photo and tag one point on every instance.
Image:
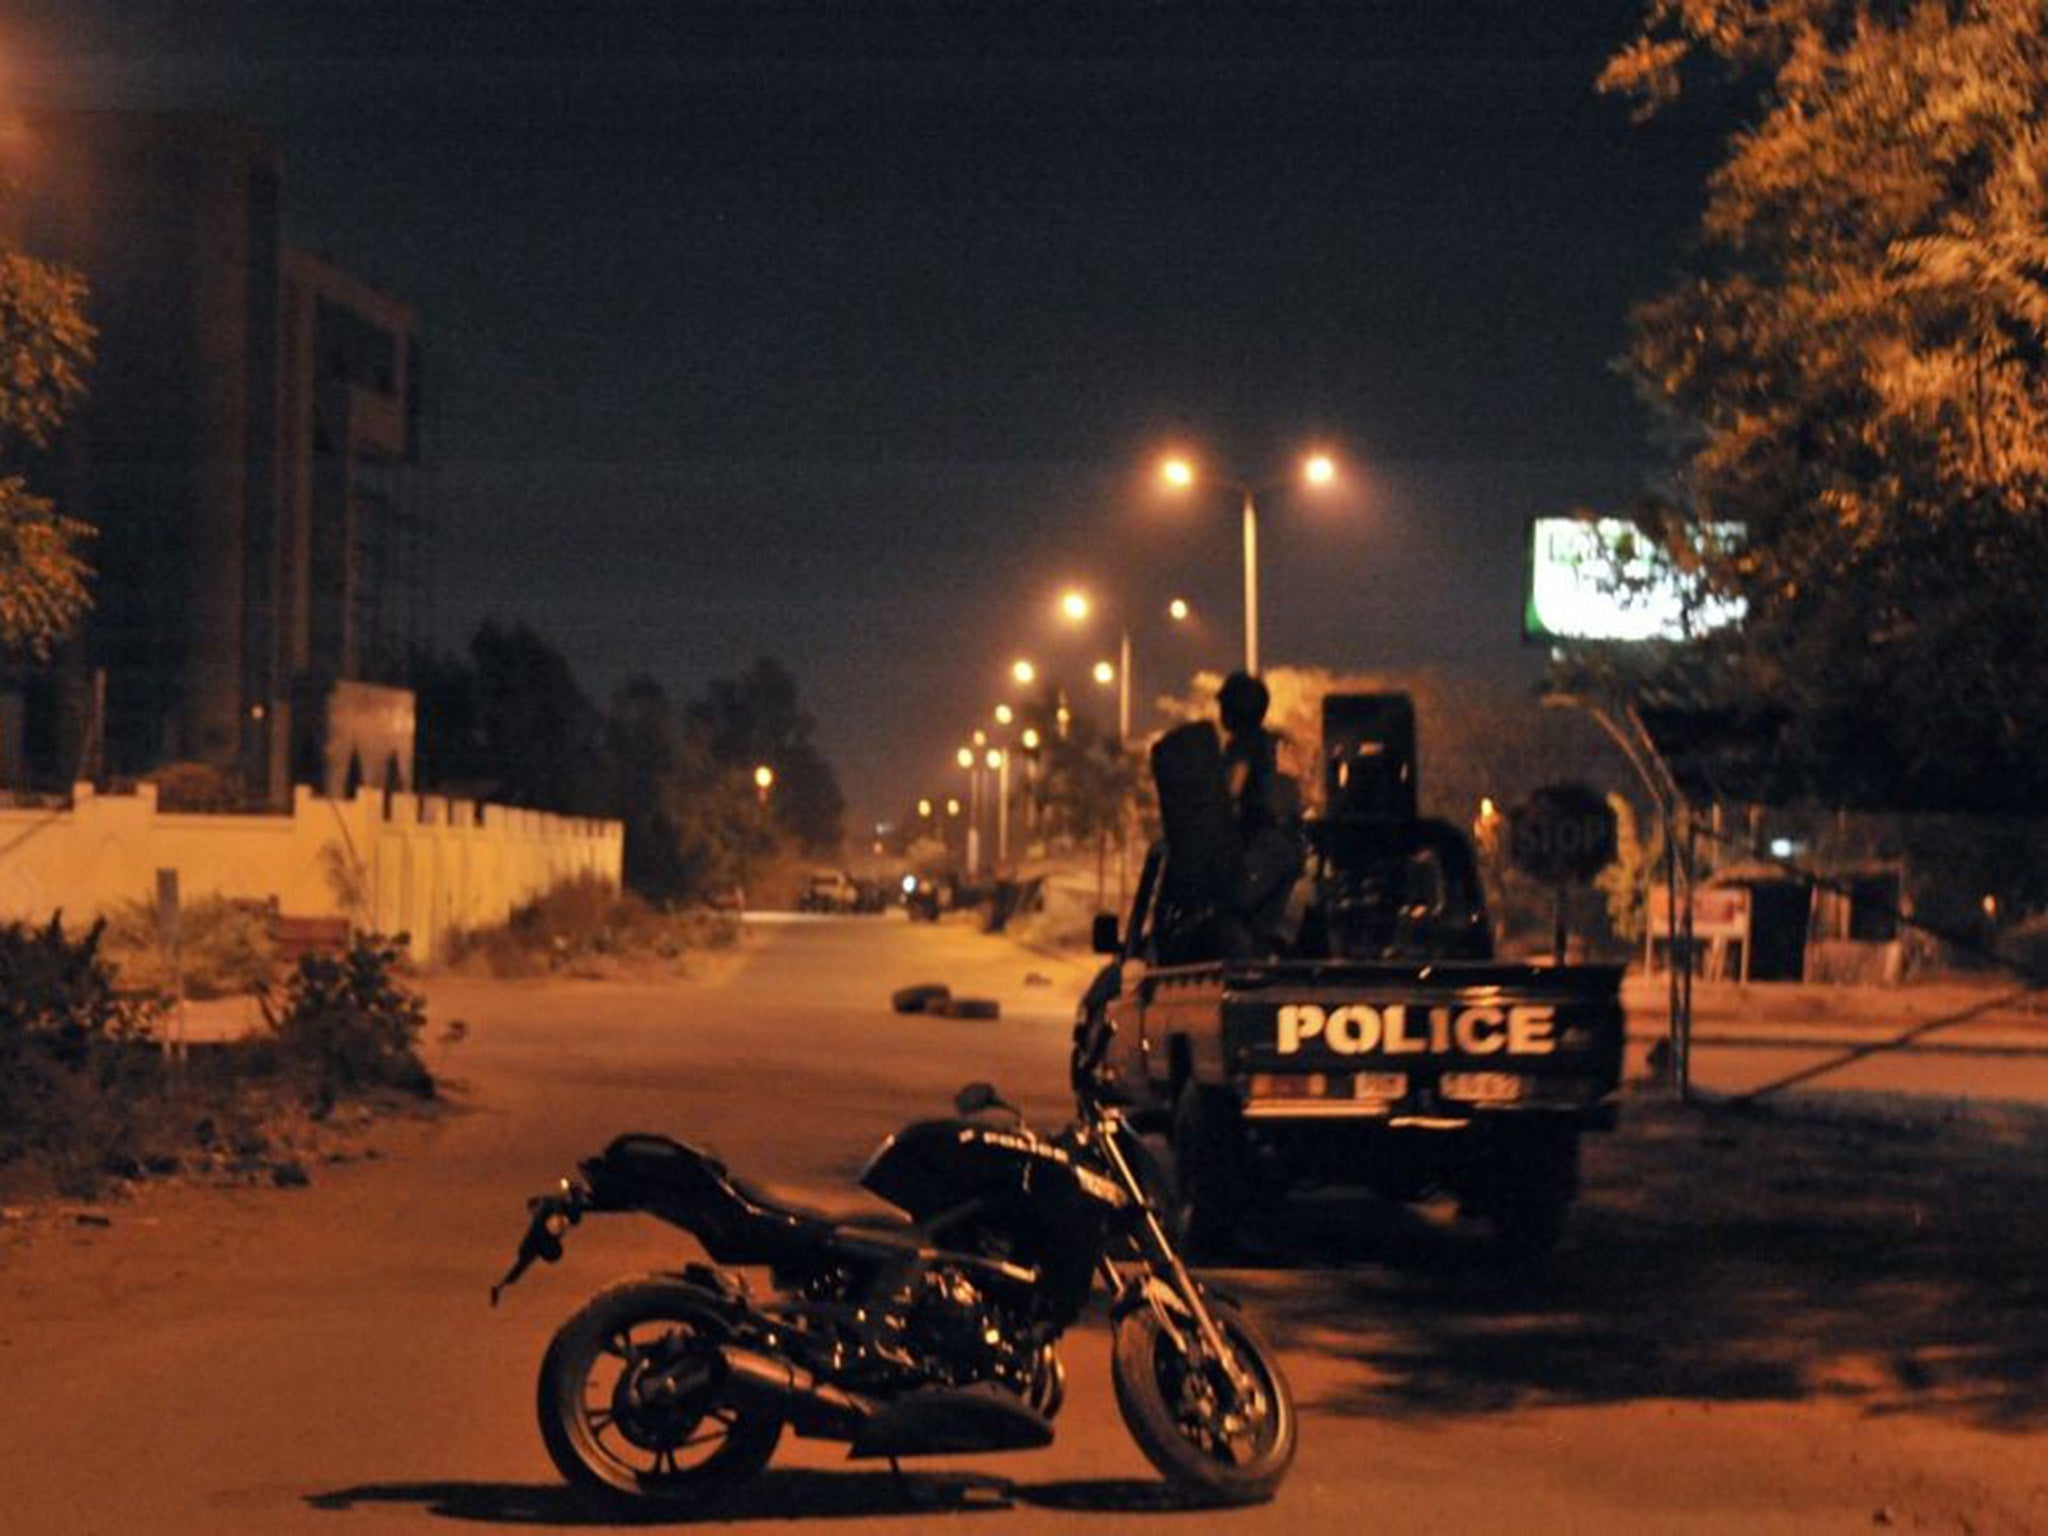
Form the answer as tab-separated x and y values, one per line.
325	1361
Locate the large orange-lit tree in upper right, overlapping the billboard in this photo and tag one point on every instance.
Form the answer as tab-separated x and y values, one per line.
1859	376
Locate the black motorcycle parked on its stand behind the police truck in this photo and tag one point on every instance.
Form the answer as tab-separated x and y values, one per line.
929	1332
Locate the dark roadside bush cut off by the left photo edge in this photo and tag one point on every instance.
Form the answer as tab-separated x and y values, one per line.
77	1060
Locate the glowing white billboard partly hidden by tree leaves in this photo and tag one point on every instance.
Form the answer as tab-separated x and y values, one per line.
1605	581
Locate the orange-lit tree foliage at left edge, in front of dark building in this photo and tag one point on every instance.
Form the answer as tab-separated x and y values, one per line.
46	347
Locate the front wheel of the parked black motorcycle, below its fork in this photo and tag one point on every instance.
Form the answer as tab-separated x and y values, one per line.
1209	1439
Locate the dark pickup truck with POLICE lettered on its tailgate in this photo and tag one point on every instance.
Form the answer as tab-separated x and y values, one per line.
1381	1048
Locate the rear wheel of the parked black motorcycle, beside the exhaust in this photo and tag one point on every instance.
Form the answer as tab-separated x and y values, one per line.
630	1400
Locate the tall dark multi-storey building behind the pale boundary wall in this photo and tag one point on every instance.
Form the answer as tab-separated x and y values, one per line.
249	454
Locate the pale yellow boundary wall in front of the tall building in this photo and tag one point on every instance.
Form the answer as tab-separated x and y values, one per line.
421	865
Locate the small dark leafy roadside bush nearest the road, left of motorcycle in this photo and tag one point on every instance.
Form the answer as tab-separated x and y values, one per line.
349	1027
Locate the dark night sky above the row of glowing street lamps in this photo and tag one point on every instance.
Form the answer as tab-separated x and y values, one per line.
845	333
